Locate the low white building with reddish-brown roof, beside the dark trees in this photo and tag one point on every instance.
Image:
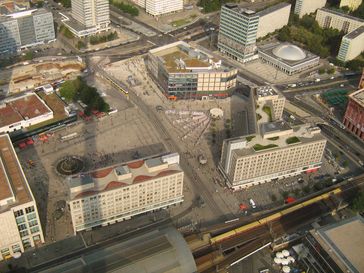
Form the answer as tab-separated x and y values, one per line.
20	112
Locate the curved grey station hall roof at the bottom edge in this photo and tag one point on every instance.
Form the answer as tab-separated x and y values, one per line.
157	251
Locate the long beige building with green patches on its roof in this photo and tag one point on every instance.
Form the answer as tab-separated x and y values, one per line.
279	151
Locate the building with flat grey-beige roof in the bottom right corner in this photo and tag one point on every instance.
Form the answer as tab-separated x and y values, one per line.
335	248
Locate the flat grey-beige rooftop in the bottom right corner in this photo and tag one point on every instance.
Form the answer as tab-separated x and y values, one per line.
344	242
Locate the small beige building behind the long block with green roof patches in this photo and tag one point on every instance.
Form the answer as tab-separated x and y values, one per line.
268	97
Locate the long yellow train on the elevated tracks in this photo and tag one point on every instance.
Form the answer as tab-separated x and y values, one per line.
273	217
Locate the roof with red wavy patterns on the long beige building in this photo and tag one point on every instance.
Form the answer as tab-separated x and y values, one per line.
121	175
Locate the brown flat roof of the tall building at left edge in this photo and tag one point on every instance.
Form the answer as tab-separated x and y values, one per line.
14	187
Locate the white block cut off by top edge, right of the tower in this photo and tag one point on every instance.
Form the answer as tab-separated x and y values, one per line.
160	7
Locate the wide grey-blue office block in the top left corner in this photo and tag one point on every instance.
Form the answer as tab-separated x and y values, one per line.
25	29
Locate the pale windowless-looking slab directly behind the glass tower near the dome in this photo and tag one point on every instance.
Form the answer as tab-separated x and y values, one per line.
273	18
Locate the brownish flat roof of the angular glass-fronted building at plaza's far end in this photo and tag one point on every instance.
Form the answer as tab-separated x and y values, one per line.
181	57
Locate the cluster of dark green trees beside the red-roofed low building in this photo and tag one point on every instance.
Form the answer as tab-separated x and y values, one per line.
79	90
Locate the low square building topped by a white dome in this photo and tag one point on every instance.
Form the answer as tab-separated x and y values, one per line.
289	58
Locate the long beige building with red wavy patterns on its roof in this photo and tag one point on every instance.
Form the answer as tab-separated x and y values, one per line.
117	193
